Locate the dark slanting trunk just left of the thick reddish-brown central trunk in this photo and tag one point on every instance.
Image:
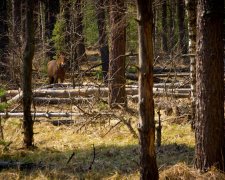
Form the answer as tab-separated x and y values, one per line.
103	42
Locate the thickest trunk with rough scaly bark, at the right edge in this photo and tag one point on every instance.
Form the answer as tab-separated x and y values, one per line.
209	131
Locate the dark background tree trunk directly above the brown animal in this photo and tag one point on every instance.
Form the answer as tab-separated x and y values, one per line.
52	9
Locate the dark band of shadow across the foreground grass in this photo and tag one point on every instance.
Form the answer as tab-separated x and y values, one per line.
98	162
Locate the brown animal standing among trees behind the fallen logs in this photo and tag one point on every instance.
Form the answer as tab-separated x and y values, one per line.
56	69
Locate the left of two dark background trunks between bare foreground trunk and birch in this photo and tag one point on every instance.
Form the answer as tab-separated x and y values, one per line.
164	26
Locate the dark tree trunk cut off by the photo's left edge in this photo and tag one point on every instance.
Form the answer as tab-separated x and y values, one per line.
3	35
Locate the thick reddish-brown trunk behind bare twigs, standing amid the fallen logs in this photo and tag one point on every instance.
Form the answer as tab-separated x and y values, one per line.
117	80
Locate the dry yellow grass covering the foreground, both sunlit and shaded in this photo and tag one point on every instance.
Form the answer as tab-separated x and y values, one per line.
116	154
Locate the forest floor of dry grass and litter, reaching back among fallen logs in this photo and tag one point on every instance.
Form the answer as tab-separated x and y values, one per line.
98	146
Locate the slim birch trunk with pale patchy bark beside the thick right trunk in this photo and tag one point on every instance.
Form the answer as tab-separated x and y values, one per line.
191	12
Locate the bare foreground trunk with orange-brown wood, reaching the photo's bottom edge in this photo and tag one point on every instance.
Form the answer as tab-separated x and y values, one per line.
146	128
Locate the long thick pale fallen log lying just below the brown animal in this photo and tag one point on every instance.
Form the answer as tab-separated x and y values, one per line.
71	96
